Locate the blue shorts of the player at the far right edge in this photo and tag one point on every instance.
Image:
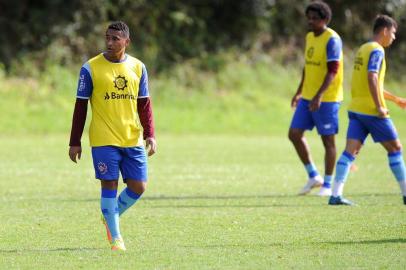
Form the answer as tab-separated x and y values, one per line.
360	125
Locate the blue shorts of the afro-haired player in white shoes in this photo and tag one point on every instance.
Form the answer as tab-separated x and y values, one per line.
325	118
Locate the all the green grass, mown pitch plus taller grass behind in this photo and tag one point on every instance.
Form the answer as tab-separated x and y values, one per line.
220	201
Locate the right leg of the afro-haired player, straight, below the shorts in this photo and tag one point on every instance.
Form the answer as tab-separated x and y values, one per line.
329	163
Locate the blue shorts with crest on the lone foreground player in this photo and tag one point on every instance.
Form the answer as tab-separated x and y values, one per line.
108	161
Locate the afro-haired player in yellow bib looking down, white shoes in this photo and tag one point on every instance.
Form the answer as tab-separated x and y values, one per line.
319	95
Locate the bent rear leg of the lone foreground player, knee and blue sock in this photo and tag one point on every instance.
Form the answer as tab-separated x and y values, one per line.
129	195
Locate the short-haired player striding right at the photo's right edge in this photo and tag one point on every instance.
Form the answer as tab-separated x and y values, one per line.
367	111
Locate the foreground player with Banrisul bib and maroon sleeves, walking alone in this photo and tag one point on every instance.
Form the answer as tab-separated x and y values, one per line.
117	86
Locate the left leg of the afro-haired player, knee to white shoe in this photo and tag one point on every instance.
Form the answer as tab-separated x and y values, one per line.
296	136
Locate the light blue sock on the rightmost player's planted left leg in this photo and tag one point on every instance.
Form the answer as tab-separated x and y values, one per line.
342	171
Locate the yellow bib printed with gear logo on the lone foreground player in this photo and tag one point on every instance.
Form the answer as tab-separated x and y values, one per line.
114	102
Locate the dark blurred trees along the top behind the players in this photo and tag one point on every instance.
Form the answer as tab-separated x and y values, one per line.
164	32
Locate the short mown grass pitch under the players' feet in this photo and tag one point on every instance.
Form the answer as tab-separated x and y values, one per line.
213	202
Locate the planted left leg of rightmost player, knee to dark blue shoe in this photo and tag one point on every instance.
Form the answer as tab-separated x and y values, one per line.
342	170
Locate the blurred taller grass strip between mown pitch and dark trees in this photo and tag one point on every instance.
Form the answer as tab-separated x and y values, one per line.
240	95
